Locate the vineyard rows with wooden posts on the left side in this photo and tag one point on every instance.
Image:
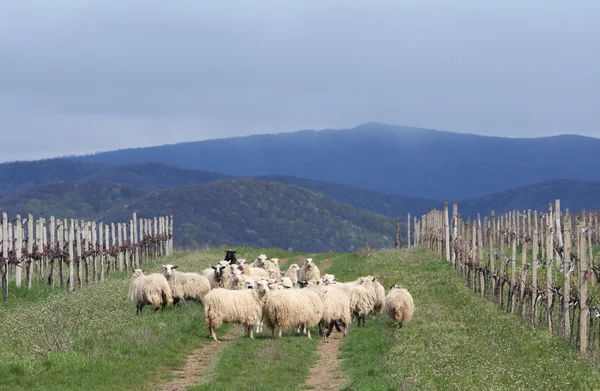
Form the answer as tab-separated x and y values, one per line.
72	253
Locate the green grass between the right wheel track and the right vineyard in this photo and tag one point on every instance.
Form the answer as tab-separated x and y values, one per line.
455	340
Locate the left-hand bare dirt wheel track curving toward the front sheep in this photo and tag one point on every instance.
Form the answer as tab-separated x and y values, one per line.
198	361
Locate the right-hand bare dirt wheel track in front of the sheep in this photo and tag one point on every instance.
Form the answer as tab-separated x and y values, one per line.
325	374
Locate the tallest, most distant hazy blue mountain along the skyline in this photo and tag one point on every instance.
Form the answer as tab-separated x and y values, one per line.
389	159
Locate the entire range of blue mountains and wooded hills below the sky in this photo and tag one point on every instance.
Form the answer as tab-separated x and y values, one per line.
304	211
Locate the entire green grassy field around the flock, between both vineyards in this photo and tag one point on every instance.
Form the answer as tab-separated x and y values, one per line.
92	340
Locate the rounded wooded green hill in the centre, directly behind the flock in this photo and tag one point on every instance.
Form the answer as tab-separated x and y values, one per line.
260	213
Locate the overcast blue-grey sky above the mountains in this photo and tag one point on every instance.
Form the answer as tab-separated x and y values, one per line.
78	76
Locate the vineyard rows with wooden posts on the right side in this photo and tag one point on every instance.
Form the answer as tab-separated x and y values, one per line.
539	266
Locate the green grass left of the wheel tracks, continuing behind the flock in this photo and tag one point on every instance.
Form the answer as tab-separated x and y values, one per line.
91	339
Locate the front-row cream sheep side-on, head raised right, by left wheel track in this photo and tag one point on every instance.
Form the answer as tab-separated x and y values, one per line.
241	307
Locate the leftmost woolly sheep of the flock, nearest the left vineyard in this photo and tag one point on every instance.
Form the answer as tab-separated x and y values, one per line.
152	289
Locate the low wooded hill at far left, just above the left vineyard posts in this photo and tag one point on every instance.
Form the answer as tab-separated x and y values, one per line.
69	199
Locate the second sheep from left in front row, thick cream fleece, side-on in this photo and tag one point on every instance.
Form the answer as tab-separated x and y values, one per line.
288	308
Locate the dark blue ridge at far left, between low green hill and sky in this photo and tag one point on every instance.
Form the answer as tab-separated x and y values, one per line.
18	176
